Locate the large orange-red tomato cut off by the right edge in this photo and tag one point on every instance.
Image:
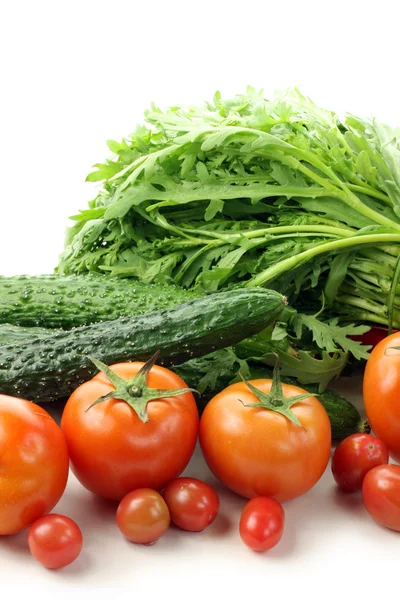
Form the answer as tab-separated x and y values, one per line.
381	393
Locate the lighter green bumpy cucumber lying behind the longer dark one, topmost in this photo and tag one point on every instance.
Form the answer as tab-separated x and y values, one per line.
66	302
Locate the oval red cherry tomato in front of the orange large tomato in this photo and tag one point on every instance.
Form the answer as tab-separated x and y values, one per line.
261	524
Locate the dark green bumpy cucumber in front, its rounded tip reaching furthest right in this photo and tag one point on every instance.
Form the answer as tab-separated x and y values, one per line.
47	368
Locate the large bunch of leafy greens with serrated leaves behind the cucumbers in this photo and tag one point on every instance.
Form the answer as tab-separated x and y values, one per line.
254	192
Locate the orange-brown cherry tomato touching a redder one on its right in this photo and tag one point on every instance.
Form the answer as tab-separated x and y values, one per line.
143	516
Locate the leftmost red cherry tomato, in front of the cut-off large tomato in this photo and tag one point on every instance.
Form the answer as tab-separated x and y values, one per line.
55	541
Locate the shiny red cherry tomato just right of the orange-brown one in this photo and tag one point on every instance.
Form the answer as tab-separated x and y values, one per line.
193	504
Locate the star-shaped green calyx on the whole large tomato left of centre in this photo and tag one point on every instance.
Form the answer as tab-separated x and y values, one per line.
135	391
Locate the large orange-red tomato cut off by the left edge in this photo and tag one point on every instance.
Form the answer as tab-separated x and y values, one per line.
33	463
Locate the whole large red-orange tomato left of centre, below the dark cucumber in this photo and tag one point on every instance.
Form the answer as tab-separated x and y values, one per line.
112	450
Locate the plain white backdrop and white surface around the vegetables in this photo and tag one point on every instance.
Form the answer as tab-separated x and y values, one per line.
74	74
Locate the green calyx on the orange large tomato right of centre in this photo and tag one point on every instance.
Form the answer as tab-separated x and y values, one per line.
276	400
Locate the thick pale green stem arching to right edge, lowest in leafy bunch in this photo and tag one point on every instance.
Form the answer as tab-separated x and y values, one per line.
294	261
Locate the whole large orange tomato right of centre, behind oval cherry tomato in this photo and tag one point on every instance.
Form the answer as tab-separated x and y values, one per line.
259	452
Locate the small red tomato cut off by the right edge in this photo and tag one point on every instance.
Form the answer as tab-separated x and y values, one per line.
381	495
